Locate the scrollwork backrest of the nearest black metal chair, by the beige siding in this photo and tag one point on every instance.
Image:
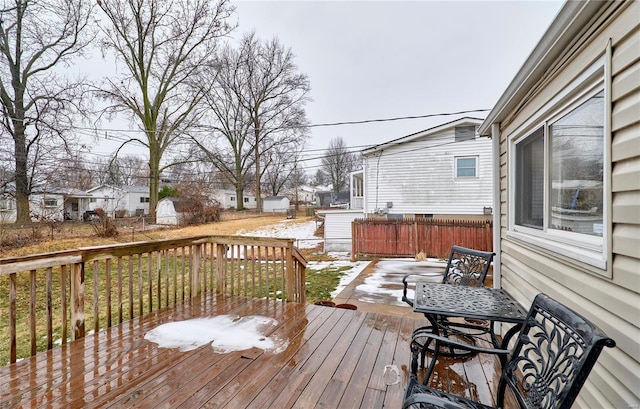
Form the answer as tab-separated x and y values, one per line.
553	356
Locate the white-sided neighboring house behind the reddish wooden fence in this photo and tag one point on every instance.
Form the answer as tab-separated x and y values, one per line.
441	172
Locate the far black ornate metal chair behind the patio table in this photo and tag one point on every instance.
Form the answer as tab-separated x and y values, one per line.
465	267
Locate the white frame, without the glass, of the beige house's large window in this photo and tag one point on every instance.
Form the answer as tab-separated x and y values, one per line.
579	248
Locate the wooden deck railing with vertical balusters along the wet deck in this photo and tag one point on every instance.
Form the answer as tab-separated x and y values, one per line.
51	298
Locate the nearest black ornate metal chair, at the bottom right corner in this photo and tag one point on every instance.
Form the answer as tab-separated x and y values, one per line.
551	360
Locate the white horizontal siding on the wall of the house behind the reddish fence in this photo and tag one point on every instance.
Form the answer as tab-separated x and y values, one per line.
420	177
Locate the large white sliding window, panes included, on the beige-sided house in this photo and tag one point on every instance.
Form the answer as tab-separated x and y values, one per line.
557	192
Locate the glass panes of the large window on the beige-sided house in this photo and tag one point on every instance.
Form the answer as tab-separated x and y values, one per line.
574	176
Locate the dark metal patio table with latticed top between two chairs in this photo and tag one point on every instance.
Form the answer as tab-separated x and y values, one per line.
471	303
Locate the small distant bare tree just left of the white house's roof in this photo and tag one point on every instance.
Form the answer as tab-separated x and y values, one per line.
337	163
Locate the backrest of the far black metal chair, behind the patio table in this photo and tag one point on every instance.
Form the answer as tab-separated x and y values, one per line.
467	267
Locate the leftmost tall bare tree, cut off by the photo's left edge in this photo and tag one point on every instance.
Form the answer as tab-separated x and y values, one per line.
37	38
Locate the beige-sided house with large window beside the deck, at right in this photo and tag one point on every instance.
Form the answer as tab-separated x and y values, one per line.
566	136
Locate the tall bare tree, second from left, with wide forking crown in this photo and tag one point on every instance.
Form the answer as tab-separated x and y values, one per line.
163	45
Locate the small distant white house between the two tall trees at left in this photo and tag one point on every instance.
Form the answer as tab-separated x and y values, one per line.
121	201
